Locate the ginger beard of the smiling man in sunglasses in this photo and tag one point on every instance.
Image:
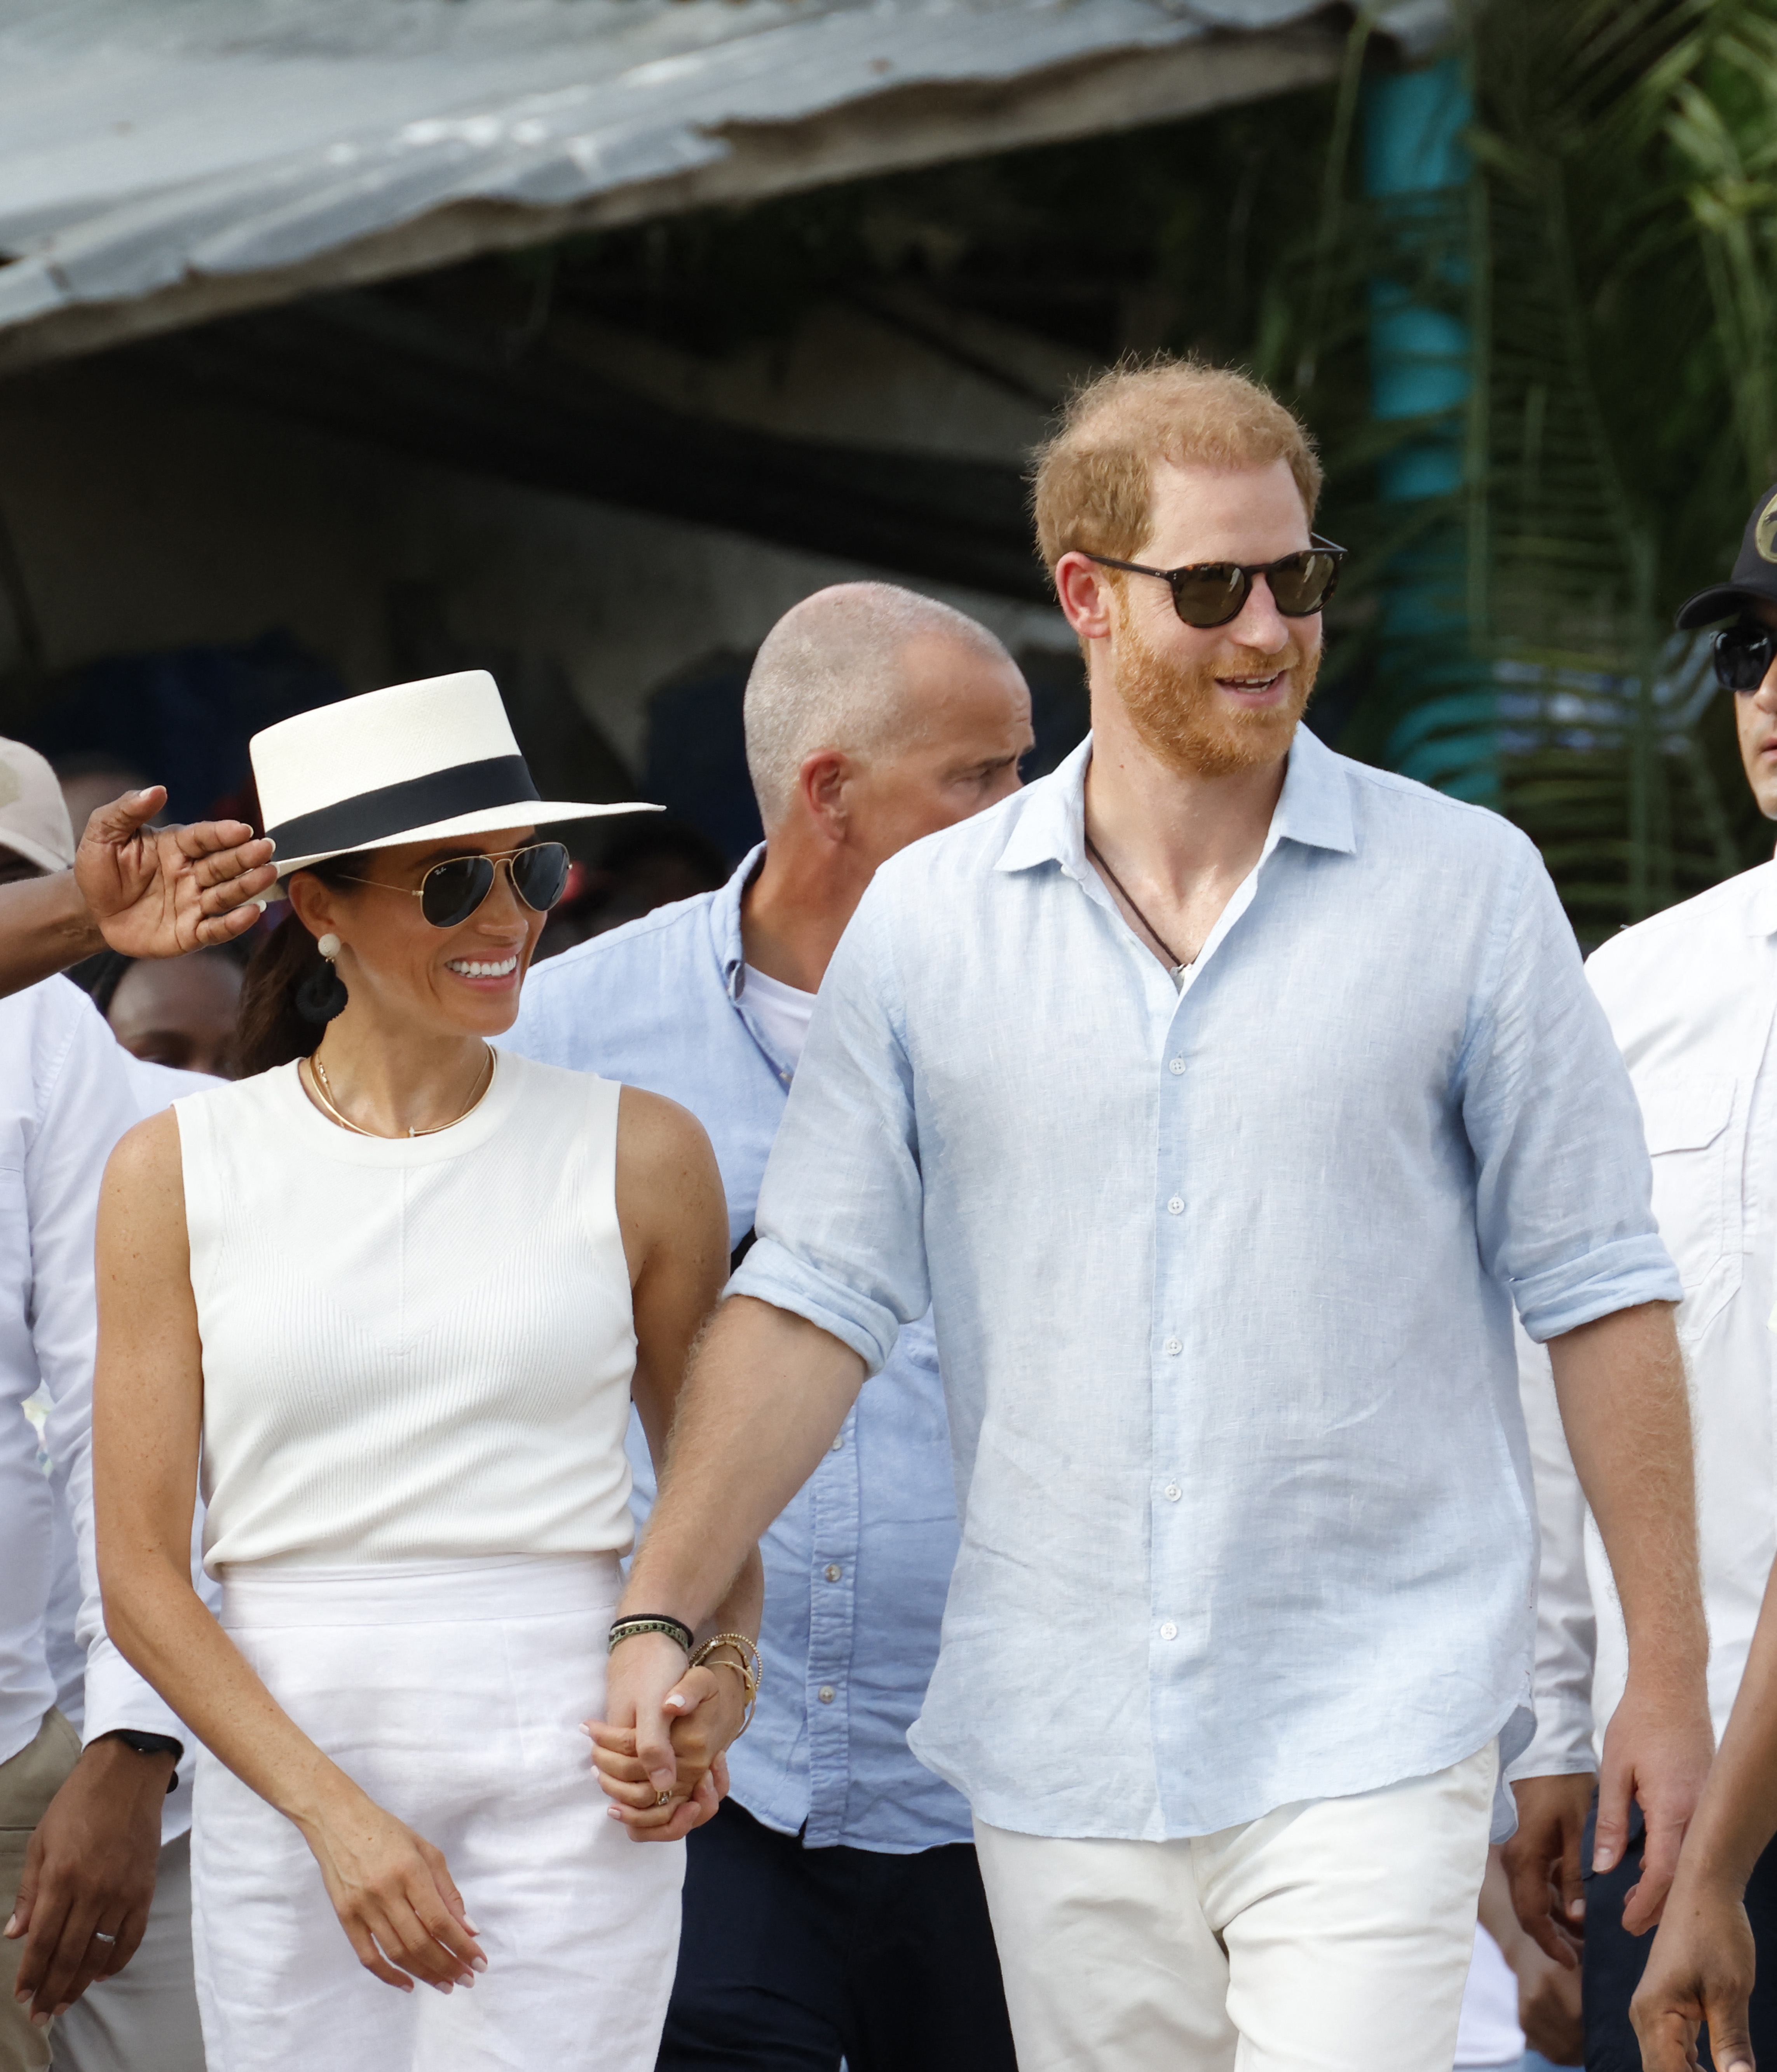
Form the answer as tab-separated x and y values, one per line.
1183	720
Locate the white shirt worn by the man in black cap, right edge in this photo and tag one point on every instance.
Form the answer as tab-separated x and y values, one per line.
1693	1004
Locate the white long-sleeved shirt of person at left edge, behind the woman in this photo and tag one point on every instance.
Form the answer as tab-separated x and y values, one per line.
65	1099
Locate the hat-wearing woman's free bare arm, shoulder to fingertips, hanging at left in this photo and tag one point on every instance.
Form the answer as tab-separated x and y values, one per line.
391	1889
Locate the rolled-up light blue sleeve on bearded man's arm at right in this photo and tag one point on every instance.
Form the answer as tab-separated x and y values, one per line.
1564	1184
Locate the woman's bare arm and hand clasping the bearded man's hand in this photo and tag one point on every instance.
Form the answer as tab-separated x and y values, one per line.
675	1221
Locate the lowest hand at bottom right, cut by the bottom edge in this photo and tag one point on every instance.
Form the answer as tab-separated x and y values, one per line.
1699	1972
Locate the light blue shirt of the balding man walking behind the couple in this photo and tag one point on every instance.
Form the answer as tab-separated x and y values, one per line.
857	1567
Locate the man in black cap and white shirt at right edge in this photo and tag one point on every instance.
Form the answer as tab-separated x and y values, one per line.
1693	1004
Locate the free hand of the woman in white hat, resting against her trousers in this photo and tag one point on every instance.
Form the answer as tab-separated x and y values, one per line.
395	1897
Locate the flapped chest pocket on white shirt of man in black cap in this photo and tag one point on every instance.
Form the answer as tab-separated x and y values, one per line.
1697	1188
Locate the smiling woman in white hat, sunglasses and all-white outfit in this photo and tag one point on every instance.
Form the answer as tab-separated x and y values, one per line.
401	1290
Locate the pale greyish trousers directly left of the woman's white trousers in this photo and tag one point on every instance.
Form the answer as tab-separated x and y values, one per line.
146	2019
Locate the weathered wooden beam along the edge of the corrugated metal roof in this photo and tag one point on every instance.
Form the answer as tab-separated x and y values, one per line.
893	132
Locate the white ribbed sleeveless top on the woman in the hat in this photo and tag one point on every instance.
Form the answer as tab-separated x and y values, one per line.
414	1348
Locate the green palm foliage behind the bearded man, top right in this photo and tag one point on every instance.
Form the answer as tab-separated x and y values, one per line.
1614	262
